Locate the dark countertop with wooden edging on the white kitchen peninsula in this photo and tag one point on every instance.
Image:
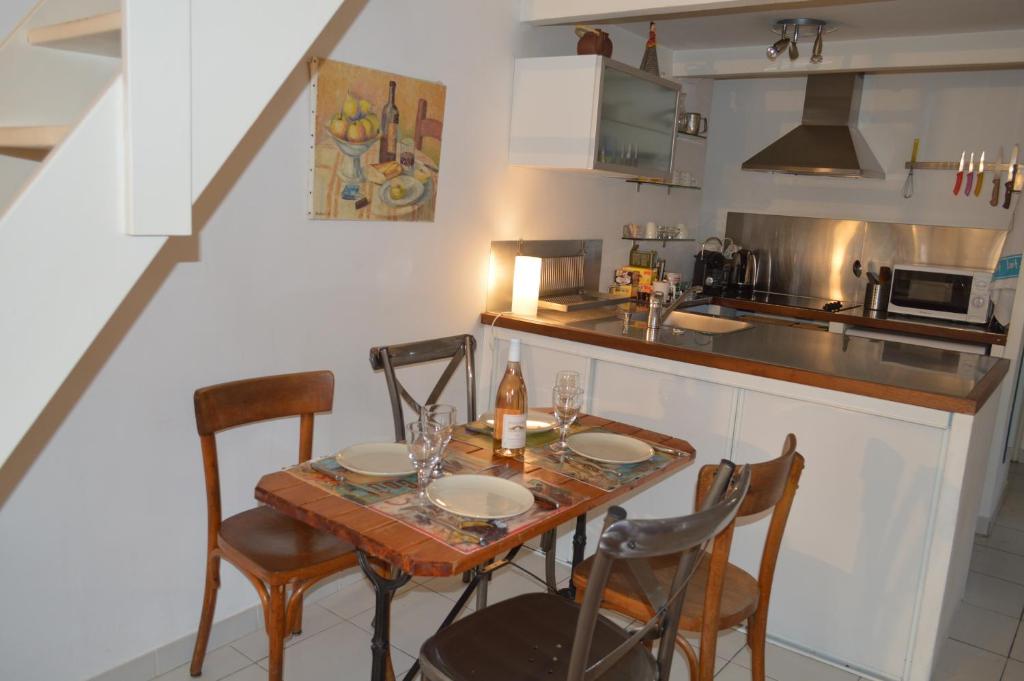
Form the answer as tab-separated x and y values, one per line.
899	372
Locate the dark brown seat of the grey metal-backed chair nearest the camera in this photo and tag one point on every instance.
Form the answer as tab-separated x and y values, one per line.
527	639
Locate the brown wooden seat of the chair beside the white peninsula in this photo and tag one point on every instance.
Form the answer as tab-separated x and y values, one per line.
740	593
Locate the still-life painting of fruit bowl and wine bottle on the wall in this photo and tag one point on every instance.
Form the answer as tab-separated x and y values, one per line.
376	143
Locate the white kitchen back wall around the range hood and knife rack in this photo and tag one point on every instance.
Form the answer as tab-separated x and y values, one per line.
951	112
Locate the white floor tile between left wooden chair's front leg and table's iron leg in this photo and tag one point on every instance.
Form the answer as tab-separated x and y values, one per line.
342	652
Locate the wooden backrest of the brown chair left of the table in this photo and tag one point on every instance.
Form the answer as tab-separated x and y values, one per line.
239	403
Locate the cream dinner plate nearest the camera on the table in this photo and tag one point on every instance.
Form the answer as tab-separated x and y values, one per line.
480	496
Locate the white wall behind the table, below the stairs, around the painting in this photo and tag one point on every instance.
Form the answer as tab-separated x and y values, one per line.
102	507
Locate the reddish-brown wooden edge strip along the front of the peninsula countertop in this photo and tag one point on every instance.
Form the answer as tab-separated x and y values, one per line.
970	405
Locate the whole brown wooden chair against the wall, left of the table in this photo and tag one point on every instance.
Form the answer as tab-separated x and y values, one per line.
273	550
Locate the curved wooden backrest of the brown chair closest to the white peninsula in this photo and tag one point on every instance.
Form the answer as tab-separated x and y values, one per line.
774	485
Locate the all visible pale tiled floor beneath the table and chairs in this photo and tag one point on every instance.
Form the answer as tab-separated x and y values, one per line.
987	643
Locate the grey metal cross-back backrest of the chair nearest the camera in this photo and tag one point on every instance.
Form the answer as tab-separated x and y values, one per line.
635	541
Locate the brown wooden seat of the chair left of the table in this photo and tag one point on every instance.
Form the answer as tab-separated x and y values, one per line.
278	545
